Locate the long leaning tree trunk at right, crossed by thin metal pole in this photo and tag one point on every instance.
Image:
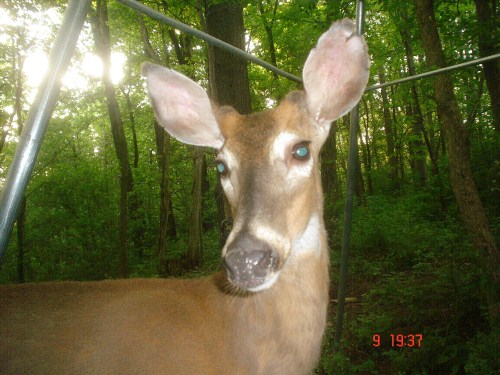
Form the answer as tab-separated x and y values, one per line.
457	142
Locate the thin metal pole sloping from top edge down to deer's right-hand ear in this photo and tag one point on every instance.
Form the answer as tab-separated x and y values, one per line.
206	37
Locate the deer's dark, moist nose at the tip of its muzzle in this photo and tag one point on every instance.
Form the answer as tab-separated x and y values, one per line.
249	261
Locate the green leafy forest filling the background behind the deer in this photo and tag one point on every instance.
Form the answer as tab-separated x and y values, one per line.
413	268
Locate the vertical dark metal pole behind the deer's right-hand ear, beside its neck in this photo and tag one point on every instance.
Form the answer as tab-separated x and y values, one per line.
351	179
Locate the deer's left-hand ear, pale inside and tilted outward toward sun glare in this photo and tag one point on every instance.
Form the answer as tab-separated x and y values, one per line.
182	107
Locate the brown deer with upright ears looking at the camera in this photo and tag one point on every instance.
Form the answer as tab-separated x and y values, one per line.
265	311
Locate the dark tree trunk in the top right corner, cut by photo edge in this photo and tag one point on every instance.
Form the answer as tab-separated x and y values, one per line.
488	31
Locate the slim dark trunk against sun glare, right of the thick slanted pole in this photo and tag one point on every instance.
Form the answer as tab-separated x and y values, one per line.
103	48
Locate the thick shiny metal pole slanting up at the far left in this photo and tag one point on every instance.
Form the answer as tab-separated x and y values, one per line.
38	118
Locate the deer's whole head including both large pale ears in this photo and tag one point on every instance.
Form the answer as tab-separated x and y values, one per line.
268	162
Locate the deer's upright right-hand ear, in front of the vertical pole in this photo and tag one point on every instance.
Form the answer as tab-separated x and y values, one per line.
336	72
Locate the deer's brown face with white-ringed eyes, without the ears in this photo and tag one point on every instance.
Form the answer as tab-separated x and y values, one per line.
268	169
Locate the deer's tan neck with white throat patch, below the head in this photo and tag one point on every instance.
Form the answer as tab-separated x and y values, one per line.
282	327
